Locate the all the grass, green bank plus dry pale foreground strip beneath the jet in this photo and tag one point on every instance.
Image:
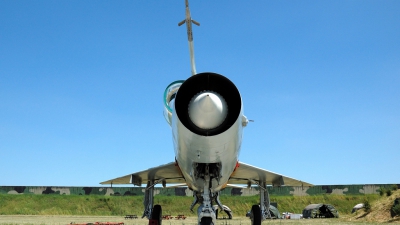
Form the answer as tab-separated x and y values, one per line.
47	209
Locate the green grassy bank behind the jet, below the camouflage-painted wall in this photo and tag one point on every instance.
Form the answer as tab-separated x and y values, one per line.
95	205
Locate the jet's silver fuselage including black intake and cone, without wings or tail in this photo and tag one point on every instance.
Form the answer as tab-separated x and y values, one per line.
200	140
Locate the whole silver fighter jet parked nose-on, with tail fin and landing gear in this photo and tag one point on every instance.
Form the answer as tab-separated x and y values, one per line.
206	116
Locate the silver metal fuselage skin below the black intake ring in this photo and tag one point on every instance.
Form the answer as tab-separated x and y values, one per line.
192	148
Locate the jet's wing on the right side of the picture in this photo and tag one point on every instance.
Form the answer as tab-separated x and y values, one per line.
245	173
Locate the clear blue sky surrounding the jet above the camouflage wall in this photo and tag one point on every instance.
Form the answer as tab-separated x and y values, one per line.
81	86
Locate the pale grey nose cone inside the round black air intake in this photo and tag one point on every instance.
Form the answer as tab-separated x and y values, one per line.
207	110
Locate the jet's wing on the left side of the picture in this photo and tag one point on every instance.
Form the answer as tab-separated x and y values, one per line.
170	172
